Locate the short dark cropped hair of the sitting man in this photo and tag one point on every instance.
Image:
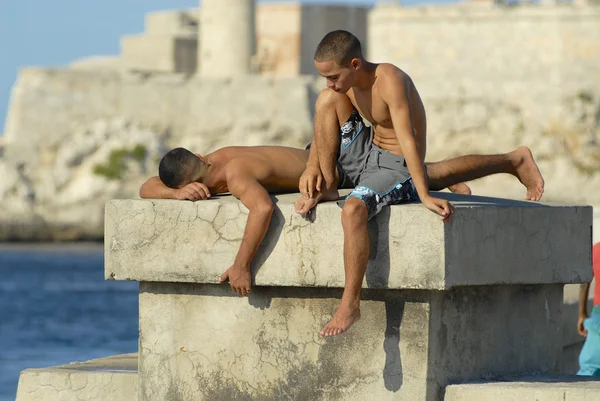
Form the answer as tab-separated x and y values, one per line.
339	46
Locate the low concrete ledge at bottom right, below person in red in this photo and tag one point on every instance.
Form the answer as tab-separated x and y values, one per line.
535	388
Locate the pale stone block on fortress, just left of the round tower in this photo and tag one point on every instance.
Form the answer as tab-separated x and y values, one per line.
160	53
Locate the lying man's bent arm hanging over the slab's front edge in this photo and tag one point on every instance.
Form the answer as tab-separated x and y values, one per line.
255	197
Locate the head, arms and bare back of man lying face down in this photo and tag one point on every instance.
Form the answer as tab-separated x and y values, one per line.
250	174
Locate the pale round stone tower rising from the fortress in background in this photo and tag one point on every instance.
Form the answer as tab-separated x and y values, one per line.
227	37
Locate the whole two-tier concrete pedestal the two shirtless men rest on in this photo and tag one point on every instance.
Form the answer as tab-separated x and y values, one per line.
478	297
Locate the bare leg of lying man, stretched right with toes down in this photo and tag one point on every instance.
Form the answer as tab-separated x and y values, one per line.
519	163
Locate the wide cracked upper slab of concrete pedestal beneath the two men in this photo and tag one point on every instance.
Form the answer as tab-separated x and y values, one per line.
489	241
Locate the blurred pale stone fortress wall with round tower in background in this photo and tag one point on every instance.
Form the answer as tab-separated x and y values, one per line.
491	77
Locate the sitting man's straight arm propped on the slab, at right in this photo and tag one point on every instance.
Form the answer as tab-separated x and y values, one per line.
394	94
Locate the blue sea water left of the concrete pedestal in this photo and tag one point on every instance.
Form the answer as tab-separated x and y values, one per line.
56	308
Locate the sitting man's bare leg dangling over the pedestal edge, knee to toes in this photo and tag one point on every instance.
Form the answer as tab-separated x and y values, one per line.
356	257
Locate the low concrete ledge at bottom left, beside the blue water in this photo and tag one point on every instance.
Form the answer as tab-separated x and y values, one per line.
113	378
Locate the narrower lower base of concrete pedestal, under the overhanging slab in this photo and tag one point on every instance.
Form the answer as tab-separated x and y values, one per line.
201	342
